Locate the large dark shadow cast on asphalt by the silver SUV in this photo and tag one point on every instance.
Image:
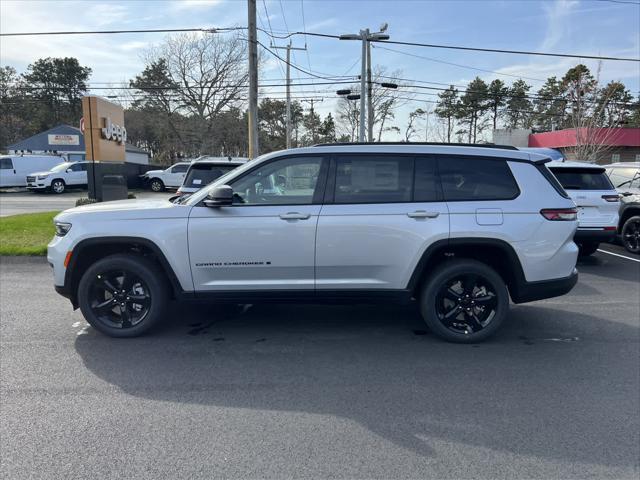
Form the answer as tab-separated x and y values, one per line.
543	386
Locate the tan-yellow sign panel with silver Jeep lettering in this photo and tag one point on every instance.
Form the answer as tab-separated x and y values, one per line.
104	132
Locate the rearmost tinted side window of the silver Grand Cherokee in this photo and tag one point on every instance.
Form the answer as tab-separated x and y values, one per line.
469	178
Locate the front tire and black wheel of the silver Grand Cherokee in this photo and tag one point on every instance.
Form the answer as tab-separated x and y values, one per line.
114	313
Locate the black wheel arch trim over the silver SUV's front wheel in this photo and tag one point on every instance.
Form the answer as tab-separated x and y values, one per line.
90	250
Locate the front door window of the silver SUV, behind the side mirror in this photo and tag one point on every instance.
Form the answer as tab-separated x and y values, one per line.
291	181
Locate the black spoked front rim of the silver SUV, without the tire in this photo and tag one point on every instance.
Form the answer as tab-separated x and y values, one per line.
119	299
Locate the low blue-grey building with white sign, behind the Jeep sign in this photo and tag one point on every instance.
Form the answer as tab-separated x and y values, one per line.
68	141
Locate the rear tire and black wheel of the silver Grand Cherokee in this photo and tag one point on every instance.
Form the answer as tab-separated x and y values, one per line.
481	309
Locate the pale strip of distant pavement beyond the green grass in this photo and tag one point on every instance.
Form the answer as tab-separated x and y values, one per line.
16	201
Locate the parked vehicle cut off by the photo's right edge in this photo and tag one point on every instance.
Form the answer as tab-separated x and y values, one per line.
625	176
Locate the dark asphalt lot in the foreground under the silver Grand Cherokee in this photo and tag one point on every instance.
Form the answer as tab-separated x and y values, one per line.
322	391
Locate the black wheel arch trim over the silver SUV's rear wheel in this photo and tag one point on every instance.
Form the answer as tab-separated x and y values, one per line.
496	253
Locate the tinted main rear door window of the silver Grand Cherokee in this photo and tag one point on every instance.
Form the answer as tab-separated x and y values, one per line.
371	179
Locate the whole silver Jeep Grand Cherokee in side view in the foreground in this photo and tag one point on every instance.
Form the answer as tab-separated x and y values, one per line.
457	228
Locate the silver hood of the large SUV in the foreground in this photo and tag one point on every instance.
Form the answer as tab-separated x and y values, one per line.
126	210
